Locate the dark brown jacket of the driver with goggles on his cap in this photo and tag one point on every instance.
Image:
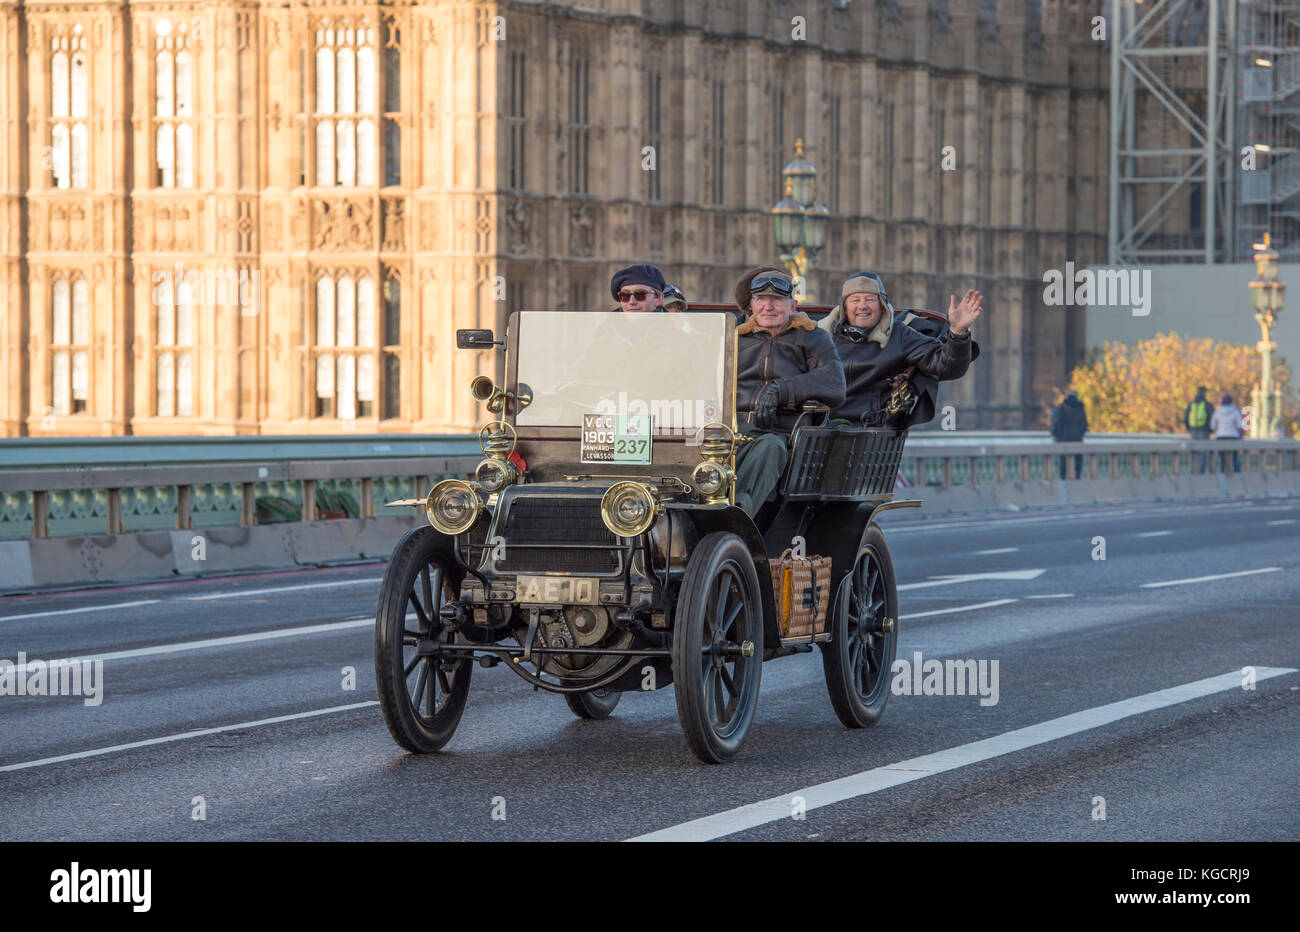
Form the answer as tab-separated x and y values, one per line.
801	361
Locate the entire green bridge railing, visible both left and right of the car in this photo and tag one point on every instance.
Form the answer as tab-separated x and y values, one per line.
59	501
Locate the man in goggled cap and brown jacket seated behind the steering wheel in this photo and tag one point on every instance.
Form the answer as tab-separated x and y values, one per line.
783	361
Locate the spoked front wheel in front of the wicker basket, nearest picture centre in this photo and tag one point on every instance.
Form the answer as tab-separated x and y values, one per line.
720	576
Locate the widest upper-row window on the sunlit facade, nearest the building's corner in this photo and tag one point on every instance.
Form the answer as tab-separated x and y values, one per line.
346	106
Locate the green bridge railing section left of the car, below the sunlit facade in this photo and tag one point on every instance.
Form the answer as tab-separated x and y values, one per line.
106	485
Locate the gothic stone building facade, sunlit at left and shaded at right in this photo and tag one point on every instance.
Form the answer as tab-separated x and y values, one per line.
271	218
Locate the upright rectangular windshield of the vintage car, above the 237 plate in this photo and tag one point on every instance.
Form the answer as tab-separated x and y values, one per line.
669	367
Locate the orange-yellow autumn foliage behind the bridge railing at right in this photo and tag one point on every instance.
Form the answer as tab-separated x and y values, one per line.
1146	388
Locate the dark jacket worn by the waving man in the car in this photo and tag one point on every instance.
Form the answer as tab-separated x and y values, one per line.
869	366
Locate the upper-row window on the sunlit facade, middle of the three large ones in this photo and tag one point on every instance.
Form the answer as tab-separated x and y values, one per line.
174	106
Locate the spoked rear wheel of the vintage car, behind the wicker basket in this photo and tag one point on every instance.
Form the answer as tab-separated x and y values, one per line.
859	661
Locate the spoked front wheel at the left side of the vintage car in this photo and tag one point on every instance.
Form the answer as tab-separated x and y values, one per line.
411	584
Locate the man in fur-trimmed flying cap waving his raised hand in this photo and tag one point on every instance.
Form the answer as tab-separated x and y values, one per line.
877	349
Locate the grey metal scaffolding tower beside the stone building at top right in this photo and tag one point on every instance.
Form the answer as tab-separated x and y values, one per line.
1204	131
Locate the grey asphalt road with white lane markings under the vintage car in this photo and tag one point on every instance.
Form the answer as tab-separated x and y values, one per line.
1111	692
